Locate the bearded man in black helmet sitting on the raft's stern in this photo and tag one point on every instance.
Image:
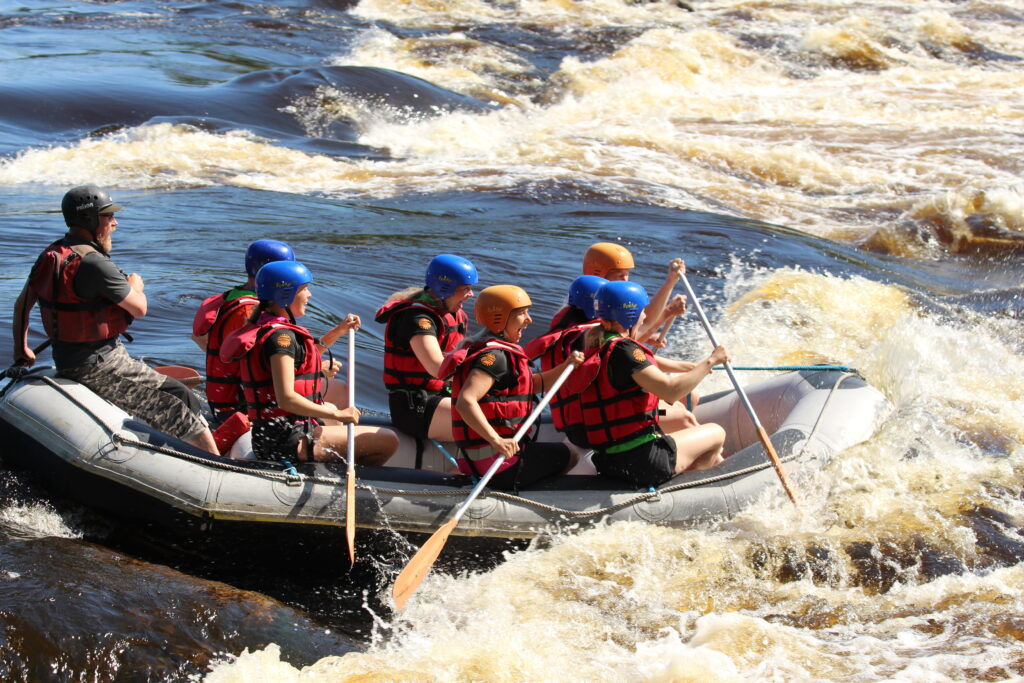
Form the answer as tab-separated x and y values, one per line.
88	304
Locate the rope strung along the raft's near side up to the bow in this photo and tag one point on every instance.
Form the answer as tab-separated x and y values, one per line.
118	440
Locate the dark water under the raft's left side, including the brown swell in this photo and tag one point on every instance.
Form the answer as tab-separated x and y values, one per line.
141	602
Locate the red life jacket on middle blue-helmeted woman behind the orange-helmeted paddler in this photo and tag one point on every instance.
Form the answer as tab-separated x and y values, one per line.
402	369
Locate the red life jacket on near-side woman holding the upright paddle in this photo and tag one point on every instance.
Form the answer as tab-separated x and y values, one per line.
245	347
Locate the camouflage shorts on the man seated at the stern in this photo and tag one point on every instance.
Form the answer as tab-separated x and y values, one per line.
140	391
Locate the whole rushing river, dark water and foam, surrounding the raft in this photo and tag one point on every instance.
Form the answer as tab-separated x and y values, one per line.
843	180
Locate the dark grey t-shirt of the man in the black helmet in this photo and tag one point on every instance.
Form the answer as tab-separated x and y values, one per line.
98	277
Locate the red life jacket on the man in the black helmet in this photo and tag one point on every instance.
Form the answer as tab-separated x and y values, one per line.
67	317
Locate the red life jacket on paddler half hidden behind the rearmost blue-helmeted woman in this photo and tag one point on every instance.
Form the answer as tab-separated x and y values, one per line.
215	319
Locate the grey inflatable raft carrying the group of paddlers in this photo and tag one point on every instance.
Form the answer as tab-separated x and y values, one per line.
93	452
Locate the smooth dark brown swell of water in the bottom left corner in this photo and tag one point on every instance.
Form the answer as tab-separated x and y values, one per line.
95	613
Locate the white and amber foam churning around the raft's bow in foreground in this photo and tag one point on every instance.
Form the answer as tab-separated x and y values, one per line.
892	574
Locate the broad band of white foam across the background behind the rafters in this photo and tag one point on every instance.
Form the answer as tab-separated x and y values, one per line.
917	150
